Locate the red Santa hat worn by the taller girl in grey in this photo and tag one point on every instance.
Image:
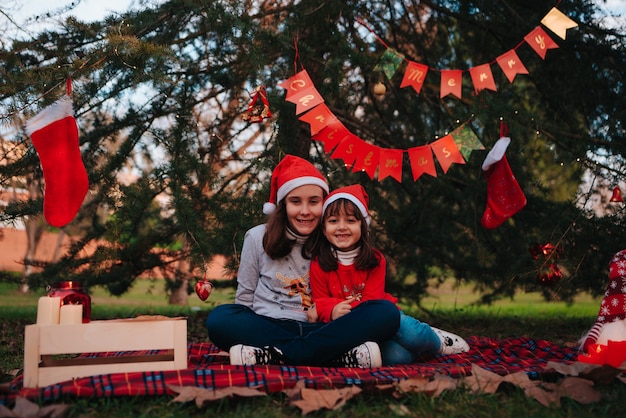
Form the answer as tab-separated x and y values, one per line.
290	173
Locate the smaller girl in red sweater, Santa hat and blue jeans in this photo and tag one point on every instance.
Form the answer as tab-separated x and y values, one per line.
347	270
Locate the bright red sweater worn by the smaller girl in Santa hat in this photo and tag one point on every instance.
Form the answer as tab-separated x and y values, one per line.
330	288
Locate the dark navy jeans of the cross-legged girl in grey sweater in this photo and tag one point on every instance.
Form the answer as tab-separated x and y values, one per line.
304	343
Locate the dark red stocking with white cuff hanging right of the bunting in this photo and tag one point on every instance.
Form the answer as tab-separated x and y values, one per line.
504	195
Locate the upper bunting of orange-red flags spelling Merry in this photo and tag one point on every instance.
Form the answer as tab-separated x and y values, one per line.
451	81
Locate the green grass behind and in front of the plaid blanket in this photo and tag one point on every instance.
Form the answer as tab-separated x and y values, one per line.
449	308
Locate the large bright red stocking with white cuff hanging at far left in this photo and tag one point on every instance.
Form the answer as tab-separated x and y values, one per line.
55	137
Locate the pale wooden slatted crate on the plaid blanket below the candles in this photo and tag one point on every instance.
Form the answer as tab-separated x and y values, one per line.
50	350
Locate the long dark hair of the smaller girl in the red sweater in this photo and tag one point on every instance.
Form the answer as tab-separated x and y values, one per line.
326	253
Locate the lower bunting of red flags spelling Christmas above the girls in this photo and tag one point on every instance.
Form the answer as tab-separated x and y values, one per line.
359	155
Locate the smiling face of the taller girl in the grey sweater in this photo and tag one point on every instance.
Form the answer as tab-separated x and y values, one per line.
304	208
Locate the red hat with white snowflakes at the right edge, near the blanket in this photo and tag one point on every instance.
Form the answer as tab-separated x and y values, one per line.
613	305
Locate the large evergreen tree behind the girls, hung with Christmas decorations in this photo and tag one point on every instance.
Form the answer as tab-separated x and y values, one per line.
159	95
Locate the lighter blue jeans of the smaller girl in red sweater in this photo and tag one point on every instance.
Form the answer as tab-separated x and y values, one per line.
412	339
